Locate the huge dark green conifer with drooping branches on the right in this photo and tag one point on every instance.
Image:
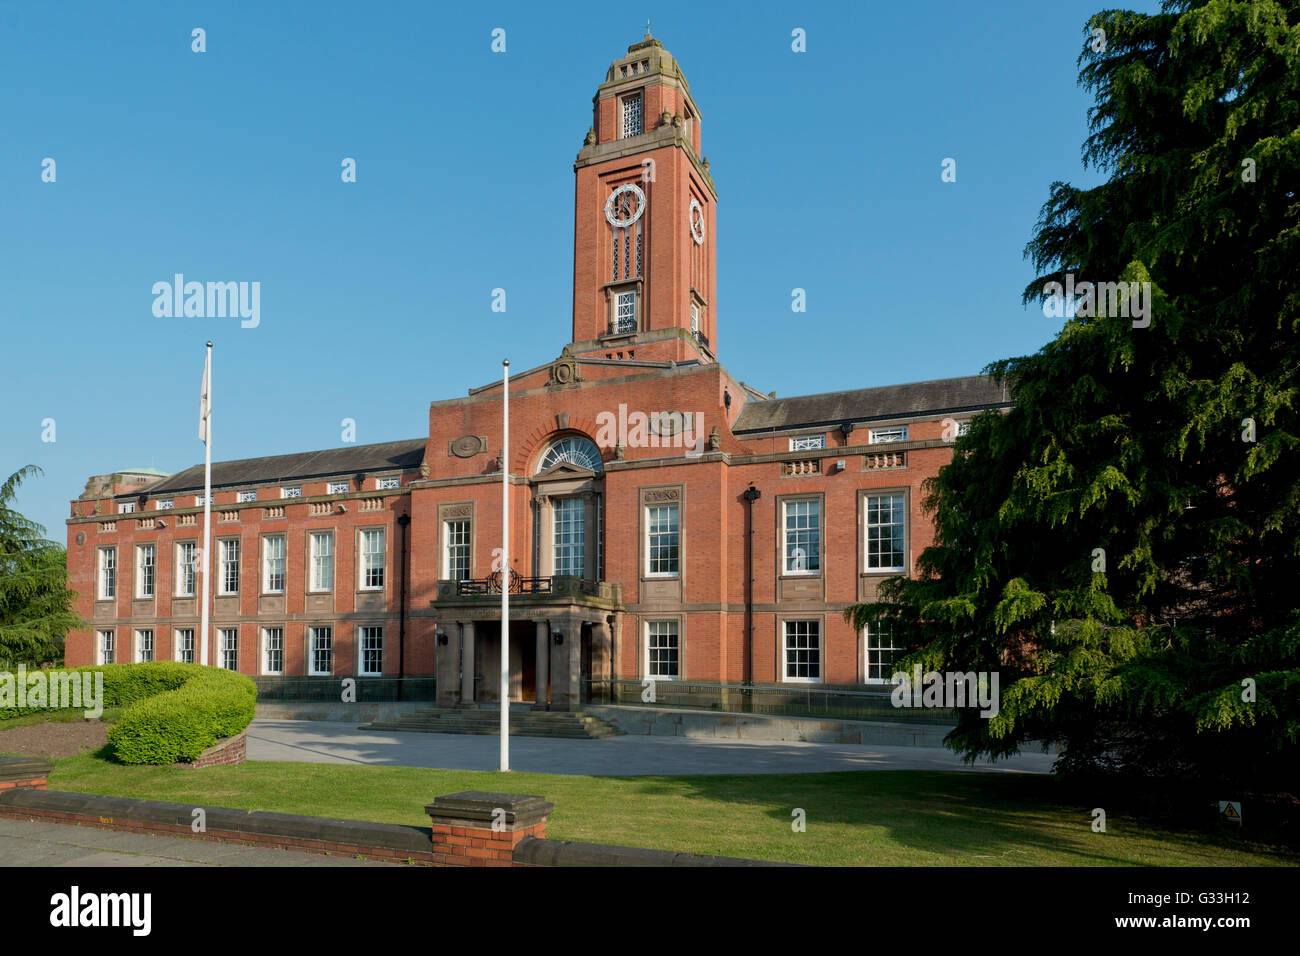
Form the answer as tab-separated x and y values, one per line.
1124	546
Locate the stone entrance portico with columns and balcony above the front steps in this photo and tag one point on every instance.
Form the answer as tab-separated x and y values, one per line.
562	635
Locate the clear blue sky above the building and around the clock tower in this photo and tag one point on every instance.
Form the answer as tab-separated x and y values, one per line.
226	166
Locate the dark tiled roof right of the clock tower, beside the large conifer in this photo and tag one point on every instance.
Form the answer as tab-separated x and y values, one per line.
969	393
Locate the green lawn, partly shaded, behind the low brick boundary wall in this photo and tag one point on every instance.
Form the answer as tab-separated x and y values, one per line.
889	819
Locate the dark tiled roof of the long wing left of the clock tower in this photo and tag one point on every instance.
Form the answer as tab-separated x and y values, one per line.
298	468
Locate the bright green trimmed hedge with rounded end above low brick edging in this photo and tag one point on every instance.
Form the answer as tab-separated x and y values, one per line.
172	712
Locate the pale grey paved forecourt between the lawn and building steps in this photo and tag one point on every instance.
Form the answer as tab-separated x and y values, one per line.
328	742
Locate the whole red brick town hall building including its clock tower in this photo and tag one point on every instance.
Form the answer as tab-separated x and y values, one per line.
668	521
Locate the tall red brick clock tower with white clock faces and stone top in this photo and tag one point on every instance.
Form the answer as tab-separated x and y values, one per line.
644	266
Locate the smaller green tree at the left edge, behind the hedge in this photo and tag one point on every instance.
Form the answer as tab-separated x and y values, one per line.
36	604
